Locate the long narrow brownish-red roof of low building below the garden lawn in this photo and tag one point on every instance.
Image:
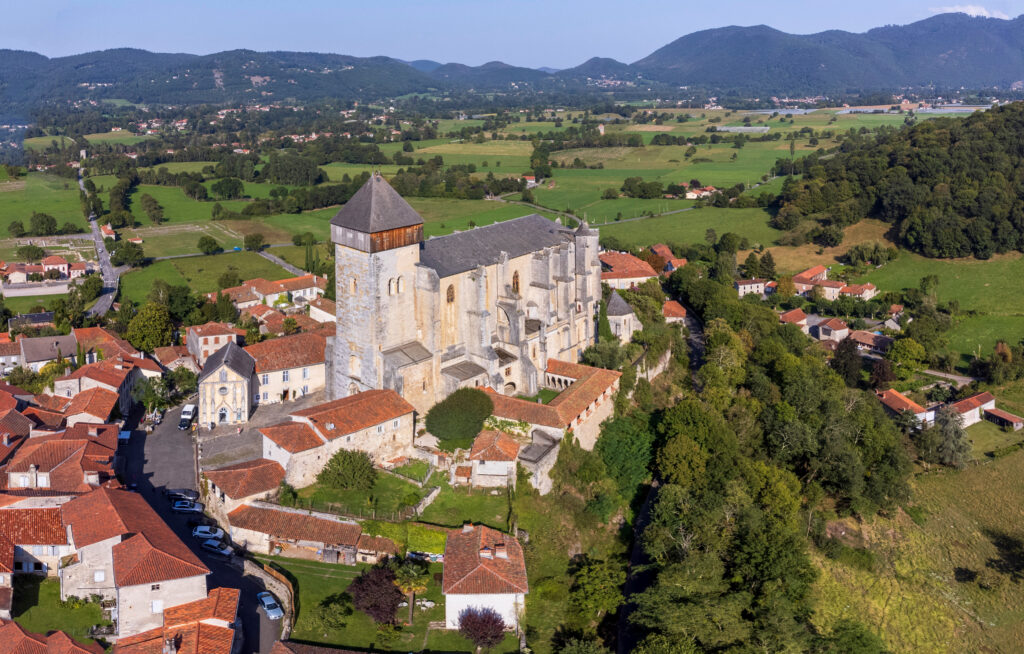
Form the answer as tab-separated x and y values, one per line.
295	526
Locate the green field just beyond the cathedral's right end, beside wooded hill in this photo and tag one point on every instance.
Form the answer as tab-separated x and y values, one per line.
691	227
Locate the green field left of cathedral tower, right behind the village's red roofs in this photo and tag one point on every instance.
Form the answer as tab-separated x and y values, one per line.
200	274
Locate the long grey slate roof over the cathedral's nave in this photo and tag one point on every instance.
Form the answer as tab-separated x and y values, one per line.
482	246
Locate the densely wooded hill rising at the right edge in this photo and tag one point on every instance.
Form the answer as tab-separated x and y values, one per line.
950	187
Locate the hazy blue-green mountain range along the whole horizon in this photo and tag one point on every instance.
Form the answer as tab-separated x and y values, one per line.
946	52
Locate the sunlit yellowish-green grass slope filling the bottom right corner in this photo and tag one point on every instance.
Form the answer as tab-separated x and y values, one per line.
922	595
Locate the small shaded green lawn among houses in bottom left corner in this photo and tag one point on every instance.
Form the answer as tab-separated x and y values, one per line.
37	608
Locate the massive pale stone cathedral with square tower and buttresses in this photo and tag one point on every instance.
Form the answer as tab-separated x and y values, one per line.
487	308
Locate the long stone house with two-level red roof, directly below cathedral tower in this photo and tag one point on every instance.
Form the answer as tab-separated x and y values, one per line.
379	423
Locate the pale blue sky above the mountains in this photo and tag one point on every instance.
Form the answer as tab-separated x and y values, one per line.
533	33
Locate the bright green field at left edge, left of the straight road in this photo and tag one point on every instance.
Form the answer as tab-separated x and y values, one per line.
45	194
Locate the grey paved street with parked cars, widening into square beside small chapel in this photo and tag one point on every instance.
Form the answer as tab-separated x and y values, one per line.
165	460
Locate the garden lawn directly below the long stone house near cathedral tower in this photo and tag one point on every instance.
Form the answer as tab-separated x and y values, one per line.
390	496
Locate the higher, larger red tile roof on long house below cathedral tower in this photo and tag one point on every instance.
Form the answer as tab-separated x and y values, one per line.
356	413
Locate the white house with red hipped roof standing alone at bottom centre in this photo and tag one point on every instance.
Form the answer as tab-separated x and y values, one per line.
484	570
